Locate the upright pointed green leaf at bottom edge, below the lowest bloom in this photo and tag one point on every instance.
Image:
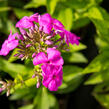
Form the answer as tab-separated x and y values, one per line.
45	100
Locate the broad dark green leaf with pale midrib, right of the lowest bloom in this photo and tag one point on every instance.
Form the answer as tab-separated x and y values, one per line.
72	78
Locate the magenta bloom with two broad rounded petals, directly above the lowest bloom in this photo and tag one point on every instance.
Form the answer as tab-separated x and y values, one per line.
53	57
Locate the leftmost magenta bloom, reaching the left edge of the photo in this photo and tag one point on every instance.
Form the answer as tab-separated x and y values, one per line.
9	44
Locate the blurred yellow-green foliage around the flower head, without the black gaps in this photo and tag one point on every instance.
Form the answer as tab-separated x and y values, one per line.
76	15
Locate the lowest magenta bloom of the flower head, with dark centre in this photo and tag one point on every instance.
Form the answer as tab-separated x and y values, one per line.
52	76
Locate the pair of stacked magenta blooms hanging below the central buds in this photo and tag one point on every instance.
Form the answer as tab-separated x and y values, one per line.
52	68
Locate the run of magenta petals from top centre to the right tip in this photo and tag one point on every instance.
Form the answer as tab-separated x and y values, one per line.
48	23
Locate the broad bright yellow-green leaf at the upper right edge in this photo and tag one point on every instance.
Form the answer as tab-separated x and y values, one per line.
101	21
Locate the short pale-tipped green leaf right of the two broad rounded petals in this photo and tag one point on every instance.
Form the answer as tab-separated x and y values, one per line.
75	57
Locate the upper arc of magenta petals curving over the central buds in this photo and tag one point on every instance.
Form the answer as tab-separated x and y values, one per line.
47	24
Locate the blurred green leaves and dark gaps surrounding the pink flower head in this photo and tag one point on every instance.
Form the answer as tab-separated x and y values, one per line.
86	69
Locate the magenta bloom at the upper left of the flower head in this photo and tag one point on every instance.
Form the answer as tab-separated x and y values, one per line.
27	22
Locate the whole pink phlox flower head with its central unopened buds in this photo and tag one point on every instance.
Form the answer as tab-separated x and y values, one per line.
37	42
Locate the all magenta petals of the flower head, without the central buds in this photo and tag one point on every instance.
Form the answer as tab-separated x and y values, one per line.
51	60
